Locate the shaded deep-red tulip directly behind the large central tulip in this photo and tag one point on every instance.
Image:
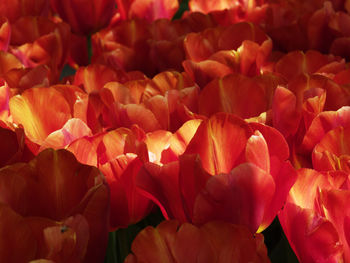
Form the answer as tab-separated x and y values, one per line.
238	94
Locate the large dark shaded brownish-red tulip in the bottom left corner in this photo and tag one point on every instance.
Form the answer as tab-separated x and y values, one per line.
64	204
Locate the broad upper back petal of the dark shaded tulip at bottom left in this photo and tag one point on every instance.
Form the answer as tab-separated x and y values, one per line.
51	185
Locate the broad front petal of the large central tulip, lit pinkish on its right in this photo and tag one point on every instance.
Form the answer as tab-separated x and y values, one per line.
240	197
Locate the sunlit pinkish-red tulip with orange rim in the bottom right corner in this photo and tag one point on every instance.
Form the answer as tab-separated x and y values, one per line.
315	217
